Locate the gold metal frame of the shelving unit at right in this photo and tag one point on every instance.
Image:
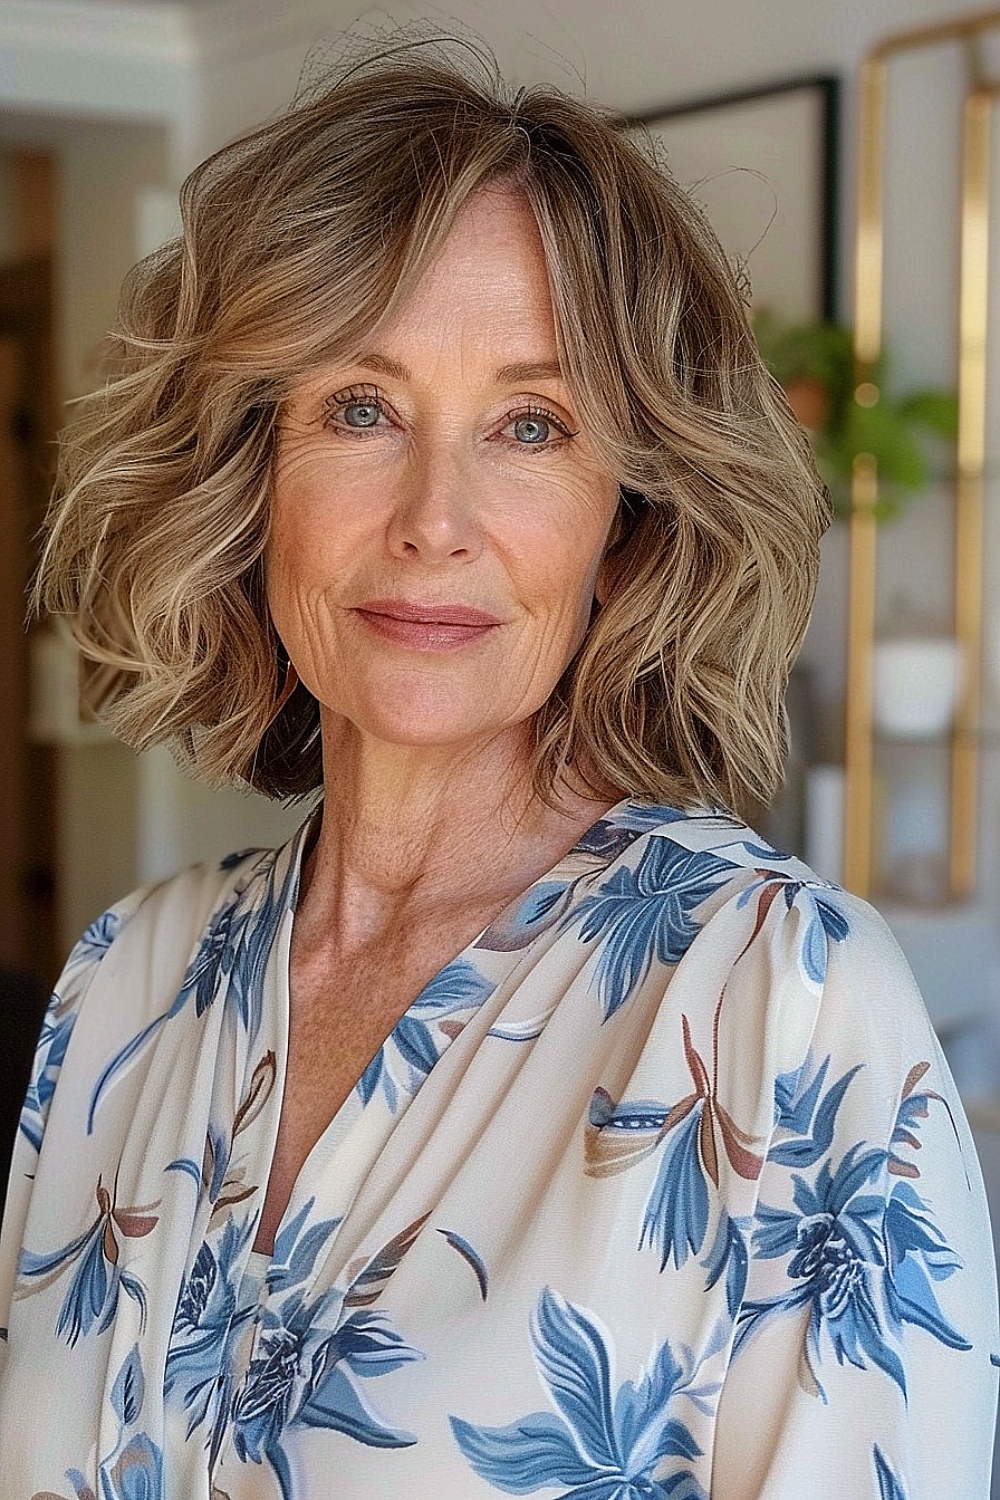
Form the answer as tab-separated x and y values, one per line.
969	487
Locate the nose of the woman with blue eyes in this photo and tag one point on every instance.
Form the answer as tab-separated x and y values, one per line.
436	517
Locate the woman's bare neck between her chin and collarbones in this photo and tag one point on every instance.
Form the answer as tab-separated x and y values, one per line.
409	830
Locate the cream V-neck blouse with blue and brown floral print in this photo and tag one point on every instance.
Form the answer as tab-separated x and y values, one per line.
660	1190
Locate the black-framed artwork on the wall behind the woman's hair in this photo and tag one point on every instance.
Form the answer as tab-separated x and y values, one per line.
765	166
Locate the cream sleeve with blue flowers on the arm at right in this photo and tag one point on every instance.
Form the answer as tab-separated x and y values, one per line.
866	1345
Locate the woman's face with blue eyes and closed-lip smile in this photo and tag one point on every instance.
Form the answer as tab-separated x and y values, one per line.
439	511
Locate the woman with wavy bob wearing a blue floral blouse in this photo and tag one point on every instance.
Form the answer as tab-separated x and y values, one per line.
524	1126
